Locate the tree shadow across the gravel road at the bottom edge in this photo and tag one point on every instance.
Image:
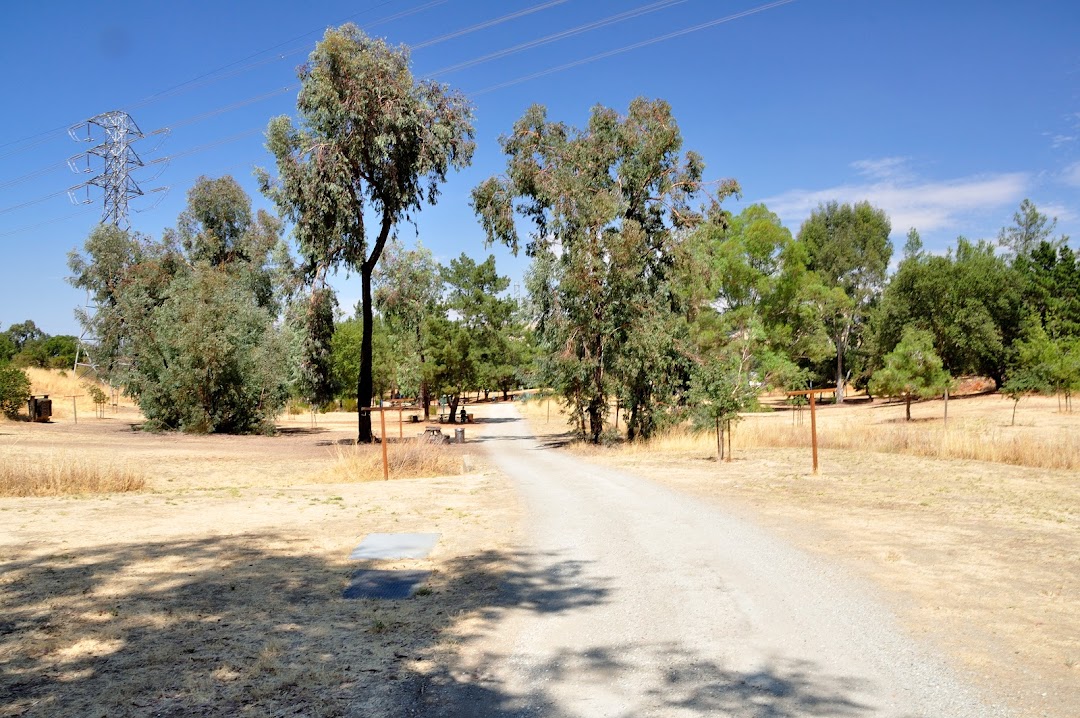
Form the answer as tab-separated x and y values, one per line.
682	684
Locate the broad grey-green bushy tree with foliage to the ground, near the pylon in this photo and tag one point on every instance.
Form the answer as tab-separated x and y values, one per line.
187	331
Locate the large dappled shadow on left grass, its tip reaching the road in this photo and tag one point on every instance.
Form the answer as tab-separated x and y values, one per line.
240	626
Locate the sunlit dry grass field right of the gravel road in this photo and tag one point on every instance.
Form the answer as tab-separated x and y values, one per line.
973	533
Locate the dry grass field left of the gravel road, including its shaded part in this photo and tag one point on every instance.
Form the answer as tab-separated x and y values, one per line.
214	588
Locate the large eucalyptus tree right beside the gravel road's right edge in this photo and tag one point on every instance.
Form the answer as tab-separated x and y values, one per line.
607	206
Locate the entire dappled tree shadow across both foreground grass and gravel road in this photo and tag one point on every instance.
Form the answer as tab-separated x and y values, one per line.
253	626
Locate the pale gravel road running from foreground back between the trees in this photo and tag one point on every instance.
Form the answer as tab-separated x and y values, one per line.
638	601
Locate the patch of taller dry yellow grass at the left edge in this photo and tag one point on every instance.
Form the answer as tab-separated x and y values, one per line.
63	475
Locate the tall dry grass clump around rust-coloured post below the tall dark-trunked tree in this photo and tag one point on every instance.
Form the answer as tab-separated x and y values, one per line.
409	459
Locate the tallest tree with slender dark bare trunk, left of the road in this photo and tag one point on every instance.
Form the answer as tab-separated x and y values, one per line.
372	146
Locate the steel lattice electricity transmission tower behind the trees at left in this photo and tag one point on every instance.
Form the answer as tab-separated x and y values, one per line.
112	161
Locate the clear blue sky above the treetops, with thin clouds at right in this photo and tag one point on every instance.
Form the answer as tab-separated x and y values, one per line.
947	115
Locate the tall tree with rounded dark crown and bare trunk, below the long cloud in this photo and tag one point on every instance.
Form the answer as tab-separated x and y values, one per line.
848	248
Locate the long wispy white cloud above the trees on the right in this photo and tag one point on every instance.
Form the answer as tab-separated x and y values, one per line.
926	206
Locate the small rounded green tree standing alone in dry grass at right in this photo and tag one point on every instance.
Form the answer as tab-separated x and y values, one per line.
912	371
